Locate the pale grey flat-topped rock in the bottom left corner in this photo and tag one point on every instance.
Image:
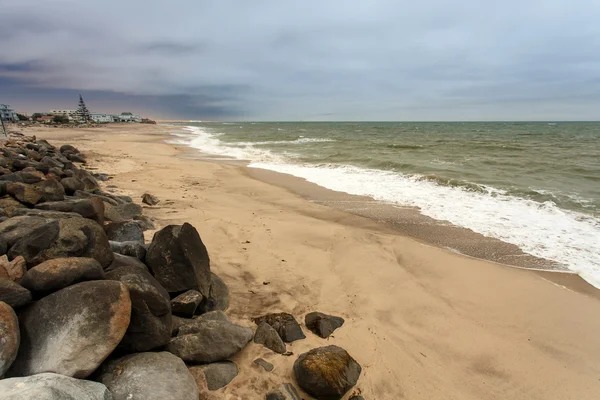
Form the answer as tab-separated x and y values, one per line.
49	386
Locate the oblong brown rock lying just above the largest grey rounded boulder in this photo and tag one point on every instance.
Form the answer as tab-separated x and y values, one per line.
58	273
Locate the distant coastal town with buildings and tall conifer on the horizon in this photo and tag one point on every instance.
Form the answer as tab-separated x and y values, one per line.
69	116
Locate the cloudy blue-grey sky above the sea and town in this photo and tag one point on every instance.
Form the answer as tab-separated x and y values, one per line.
305	60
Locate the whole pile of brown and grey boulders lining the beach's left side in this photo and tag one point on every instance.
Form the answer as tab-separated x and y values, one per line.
89	310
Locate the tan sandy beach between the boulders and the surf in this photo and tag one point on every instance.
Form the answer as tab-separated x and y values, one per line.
424	322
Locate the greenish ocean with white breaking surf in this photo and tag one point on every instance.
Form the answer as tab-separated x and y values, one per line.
532	184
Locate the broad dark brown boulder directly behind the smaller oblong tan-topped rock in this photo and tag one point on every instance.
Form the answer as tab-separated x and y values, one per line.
71	237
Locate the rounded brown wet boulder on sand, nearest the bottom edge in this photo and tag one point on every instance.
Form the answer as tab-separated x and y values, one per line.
326	372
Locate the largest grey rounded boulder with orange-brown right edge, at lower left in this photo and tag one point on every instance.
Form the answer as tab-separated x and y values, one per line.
72	331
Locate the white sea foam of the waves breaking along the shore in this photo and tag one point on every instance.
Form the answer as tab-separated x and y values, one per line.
540	229
